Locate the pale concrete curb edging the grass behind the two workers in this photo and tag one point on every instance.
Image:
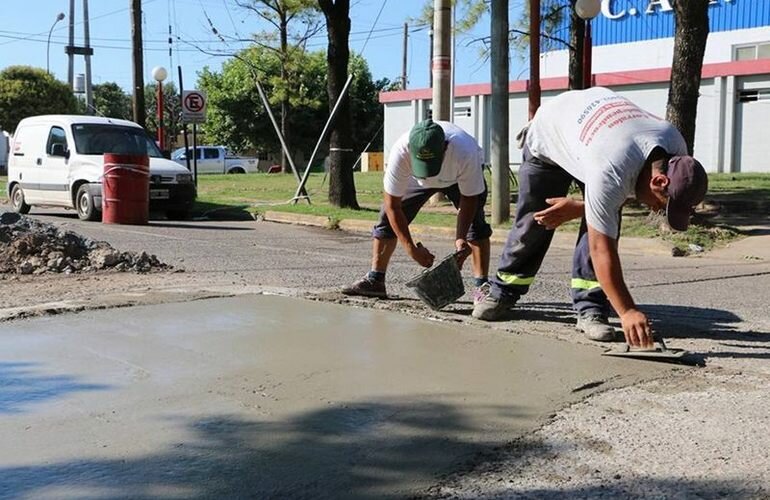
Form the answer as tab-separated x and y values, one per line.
561	240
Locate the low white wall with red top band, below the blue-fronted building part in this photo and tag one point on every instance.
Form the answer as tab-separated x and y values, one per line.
730	134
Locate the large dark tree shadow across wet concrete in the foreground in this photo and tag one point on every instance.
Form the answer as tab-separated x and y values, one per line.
353	450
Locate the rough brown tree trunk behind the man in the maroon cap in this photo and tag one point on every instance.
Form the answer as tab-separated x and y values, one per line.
692	28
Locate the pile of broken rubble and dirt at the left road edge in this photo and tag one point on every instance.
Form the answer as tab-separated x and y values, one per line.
31	247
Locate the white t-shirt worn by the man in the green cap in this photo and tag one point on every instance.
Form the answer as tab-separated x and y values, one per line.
462	165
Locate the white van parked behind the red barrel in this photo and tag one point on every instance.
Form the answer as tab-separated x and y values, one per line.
57	160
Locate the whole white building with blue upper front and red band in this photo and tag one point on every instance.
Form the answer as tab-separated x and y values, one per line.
632	52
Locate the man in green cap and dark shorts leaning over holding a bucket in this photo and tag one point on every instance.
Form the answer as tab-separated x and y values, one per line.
432	157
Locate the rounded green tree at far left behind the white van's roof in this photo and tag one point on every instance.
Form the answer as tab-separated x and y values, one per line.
27	91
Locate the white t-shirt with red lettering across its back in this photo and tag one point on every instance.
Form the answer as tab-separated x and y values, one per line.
603	140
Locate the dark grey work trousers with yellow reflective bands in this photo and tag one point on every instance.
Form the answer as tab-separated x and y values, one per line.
528	241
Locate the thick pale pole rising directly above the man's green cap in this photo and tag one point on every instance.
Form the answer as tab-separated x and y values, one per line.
442	60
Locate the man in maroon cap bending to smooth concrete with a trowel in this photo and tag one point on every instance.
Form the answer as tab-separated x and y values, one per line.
614	150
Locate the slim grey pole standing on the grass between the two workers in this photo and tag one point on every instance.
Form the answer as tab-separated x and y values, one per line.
499	150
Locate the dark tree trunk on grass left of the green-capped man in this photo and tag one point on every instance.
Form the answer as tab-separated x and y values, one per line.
342	190
